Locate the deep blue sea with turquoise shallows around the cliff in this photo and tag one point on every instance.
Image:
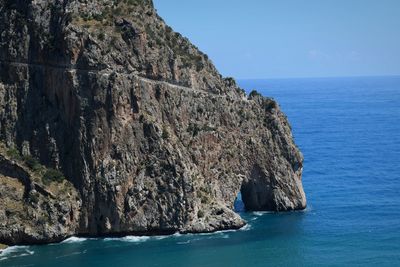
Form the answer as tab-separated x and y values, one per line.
349	132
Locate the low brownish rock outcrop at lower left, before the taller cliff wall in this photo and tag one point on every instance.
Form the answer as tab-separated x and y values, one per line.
34	210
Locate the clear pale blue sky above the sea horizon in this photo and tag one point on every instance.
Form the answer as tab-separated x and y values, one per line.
291	38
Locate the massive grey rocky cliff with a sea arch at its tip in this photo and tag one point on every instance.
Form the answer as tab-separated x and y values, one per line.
152	139
